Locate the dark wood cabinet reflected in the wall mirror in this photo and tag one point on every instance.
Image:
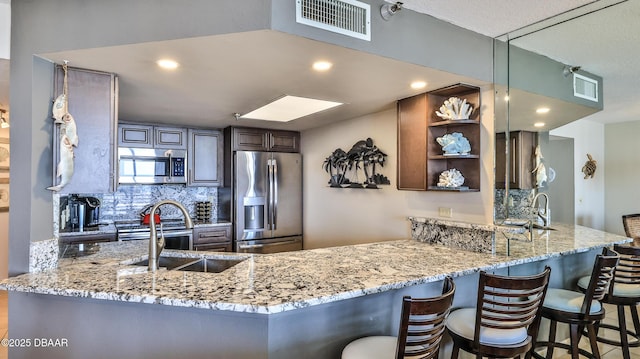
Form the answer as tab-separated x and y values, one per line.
522	145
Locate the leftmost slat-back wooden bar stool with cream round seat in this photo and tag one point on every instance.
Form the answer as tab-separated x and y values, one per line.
421	329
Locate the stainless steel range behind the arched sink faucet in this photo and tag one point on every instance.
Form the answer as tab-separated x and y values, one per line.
175	233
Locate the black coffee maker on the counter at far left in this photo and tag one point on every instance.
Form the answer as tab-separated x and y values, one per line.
81	213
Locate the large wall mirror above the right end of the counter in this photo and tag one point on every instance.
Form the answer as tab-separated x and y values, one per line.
535	68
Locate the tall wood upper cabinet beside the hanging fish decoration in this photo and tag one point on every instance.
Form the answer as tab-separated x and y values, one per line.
93	97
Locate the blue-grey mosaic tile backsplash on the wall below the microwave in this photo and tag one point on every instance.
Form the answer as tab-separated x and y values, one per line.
127	202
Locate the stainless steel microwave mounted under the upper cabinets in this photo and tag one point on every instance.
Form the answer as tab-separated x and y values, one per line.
151	166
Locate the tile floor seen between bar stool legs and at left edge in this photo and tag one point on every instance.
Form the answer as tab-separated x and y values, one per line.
606	351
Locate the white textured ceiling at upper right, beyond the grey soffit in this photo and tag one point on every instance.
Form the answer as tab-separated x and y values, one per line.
602	37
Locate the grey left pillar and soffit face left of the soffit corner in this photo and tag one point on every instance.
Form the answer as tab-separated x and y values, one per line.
37	28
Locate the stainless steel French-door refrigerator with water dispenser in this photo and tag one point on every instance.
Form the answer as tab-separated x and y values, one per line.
267	201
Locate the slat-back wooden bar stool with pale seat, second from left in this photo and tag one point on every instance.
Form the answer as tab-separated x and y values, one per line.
505	321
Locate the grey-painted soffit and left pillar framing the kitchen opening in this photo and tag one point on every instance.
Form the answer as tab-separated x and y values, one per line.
37	28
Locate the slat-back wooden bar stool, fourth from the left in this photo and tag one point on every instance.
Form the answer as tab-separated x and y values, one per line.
623	292
